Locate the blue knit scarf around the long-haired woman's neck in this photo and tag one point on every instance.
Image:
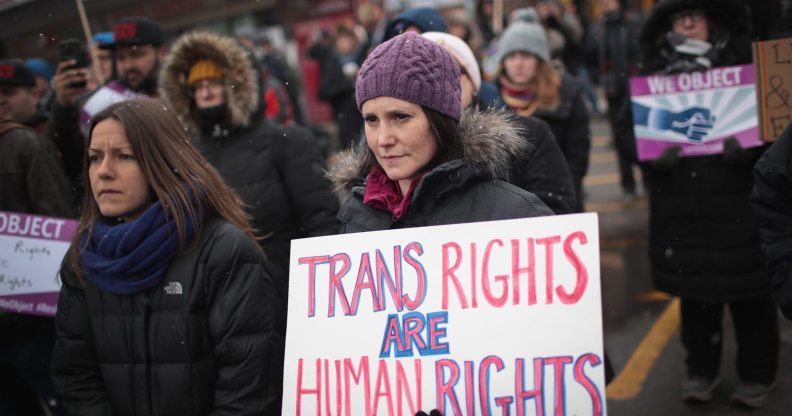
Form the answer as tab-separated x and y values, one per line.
128	258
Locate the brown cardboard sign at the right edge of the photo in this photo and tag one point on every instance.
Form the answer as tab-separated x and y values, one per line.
773	66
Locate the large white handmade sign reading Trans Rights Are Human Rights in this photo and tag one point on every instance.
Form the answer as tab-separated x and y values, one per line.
498	317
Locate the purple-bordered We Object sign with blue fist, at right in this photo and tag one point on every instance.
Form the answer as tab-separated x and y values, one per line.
696	111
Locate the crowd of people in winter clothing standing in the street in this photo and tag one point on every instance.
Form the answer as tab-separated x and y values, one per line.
191	166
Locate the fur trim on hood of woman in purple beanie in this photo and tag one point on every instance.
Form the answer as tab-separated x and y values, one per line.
490	138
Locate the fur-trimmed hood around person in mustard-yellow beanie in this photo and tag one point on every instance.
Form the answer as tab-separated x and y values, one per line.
242	81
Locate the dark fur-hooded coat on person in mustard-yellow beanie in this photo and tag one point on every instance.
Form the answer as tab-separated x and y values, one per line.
277	171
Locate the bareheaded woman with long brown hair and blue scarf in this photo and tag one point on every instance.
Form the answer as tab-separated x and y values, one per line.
167	306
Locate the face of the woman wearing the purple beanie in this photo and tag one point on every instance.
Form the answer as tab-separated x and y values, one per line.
399	134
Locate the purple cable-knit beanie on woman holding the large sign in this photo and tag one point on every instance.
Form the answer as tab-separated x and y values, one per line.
411	68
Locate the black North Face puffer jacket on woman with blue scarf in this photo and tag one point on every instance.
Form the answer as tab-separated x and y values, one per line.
204	341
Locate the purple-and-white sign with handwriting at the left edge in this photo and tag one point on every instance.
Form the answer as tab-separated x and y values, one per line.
31	250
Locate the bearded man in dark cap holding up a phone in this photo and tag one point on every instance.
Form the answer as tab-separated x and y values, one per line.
138	46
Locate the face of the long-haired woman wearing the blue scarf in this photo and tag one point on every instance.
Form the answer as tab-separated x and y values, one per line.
117	182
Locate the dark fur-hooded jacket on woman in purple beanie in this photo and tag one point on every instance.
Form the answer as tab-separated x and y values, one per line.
457	191
